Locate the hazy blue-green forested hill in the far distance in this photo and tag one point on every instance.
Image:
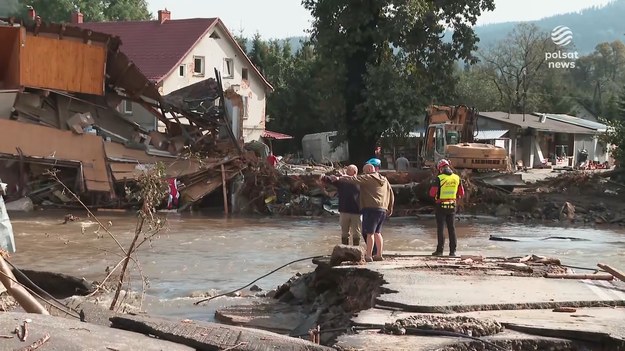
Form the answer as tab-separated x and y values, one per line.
590	27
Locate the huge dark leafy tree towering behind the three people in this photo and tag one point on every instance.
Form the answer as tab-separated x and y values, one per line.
403	38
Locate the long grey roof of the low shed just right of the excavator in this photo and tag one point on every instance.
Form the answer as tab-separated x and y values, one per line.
533	121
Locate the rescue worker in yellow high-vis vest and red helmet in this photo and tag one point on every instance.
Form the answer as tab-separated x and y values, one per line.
446	189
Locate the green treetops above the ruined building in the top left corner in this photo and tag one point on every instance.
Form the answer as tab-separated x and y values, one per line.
60	11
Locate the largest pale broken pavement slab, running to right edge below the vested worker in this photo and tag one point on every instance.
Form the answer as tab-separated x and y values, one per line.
432	292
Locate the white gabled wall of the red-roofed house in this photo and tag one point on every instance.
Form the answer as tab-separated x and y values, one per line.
215	51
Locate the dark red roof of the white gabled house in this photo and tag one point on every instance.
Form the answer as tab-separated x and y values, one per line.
157	48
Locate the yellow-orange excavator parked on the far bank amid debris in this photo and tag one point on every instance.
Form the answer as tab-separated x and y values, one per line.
450	135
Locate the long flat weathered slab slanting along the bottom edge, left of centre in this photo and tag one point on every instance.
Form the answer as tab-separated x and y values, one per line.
212	336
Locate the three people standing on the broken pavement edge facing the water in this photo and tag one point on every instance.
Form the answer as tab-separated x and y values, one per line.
366	200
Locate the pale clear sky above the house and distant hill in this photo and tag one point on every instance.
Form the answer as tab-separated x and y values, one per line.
286	18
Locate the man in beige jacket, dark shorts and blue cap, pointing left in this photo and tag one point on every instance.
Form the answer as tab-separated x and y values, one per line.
376	203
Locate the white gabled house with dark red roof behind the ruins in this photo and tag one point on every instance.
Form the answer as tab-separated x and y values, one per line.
177	53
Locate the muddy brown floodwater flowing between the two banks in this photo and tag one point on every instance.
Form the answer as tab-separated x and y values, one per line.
199	252
